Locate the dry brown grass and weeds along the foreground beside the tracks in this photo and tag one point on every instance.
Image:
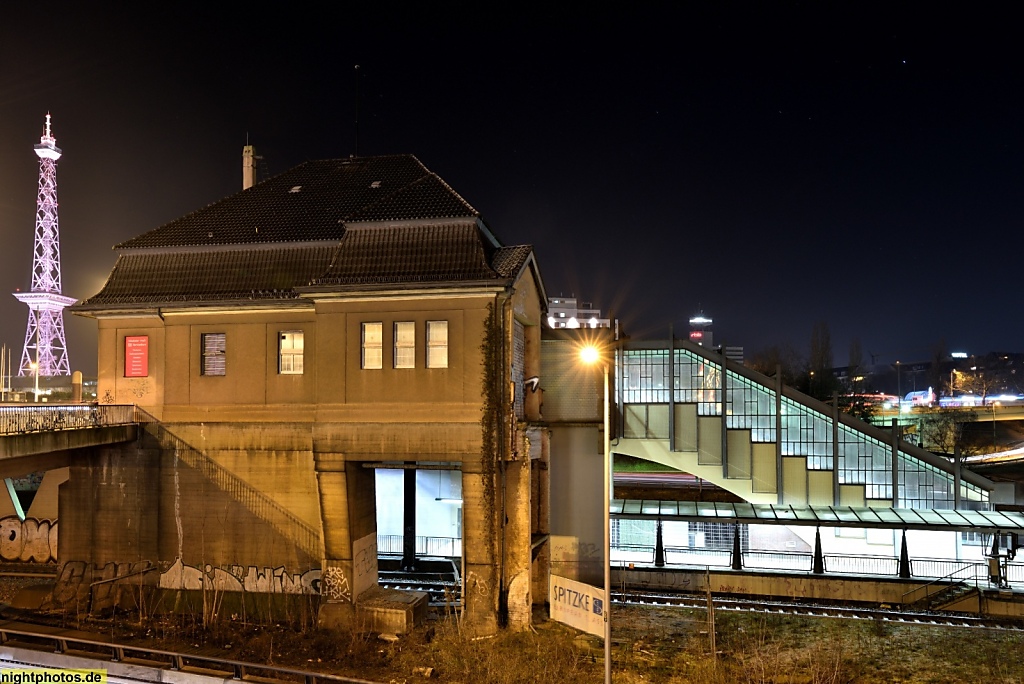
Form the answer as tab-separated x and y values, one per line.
653	646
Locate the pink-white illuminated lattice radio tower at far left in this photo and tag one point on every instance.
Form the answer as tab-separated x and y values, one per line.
46	353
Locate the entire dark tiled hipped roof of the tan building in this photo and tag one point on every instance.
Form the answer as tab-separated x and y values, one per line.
334	224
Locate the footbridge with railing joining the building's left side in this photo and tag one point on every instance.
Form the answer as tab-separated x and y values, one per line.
35	438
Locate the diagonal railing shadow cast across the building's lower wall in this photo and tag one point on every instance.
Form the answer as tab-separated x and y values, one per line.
267	509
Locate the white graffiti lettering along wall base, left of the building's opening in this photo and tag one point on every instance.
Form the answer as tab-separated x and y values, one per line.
241	579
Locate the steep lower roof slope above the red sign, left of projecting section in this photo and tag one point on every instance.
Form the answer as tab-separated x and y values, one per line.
155	278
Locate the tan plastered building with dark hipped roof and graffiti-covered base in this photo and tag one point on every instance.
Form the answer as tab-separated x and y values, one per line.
343	317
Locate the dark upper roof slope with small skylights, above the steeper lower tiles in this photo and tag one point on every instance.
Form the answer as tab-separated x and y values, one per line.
313	201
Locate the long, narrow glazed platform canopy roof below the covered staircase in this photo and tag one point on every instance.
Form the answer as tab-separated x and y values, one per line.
824	517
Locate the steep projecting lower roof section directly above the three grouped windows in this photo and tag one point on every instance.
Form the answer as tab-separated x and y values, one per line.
411	254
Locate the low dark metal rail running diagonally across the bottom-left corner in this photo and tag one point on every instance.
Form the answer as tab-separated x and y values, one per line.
175	661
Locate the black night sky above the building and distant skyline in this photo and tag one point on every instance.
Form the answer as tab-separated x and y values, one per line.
774	165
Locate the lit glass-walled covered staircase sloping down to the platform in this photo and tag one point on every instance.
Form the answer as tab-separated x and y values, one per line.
694	410
